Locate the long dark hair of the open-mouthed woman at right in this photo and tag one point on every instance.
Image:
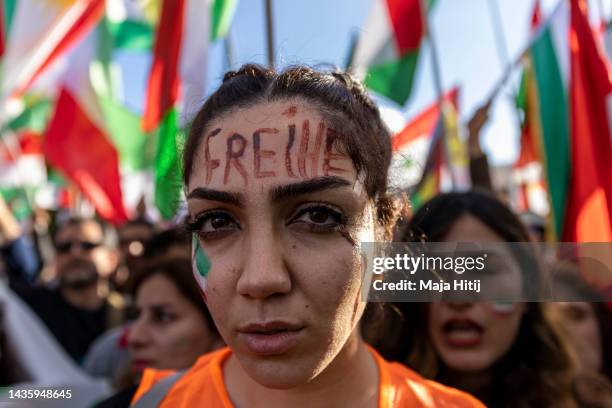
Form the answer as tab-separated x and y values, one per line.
538	370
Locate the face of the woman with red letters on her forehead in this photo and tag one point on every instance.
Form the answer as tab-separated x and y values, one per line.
280	213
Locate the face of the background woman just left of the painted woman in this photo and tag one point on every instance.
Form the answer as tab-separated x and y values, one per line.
170	332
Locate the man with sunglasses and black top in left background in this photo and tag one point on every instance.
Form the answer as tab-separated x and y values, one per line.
81	307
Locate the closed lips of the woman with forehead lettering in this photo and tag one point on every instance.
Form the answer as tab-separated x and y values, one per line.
269	338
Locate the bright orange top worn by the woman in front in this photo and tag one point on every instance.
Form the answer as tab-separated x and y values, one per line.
399	386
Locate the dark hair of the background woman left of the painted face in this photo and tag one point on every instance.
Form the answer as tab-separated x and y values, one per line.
179	272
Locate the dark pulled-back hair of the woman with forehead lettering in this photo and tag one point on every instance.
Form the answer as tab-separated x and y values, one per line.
342	101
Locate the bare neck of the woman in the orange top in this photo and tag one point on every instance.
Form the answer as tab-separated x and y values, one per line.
351	379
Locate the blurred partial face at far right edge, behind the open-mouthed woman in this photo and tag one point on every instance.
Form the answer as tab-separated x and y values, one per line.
579	319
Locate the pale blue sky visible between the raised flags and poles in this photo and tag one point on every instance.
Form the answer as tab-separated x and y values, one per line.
319	31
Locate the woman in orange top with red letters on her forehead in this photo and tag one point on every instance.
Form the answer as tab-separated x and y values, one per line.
285	176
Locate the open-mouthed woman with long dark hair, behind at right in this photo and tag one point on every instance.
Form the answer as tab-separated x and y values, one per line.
506	354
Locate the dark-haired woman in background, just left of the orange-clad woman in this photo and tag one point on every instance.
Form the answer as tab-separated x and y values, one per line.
172	326
